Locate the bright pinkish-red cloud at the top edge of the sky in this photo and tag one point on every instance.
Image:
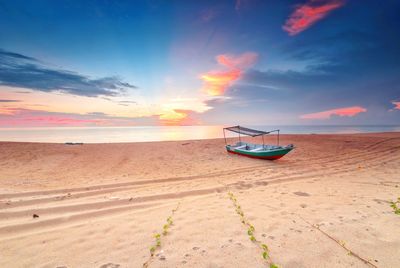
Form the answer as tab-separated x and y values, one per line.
309	13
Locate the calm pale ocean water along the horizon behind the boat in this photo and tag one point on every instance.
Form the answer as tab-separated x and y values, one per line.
158	133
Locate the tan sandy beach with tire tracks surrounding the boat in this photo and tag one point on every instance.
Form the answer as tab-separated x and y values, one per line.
325	204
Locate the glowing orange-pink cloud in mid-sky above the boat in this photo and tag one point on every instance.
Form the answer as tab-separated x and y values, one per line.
216	83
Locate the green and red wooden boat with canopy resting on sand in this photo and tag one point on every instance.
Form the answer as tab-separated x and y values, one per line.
261	151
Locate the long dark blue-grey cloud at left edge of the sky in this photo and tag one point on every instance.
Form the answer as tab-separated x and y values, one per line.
21	71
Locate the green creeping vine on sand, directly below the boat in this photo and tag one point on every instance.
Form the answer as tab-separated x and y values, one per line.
251	230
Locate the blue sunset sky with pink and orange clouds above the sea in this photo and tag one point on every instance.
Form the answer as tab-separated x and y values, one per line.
247	62
